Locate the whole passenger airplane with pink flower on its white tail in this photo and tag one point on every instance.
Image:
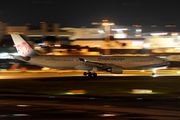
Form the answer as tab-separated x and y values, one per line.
113	64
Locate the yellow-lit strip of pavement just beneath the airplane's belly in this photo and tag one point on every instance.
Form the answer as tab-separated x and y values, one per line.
31	74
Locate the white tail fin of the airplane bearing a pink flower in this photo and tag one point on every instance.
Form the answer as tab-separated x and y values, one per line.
22	46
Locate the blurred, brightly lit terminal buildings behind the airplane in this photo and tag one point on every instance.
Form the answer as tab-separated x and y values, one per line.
122	39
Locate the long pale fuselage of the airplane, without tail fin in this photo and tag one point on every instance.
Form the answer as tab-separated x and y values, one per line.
73	62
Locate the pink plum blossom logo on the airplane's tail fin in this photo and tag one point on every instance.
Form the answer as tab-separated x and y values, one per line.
23	48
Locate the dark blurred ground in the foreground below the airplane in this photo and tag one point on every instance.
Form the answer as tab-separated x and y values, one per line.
105	98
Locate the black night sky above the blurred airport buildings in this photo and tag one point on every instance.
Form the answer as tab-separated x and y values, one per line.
77	13
